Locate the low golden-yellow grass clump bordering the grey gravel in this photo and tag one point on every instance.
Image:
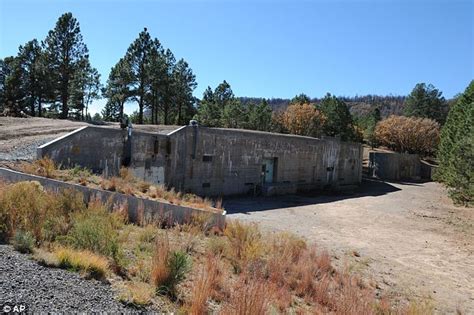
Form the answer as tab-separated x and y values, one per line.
93	265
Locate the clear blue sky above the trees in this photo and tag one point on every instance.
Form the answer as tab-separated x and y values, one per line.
275	48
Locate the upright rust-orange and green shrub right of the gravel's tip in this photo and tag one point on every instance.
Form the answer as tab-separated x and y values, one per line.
169	268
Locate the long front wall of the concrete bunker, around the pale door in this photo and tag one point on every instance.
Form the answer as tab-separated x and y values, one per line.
213	161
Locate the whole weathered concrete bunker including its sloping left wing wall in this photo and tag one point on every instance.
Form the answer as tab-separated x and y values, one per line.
213	161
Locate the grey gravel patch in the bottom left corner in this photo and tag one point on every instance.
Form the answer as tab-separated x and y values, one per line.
42	289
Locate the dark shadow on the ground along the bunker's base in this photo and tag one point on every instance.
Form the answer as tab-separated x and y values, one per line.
368	187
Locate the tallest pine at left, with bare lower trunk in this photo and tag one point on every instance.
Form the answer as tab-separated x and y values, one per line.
66	51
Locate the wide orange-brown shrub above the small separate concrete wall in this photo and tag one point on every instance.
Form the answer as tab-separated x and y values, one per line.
408	134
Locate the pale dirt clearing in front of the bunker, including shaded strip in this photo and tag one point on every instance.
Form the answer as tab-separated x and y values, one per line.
409	238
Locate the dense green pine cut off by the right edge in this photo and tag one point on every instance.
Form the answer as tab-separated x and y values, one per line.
456	149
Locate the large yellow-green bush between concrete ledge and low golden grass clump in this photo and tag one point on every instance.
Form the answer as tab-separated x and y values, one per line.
95	229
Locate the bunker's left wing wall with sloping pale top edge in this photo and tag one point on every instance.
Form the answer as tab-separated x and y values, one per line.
105	150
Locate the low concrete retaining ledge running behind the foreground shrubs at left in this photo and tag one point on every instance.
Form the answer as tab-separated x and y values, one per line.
153	210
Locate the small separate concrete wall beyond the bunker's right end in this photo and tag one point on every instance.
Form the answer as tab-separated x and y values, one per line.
395	166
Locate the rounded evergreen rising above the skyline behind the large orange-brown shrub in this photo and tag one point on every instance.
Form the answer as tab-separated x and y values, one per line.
427	102
